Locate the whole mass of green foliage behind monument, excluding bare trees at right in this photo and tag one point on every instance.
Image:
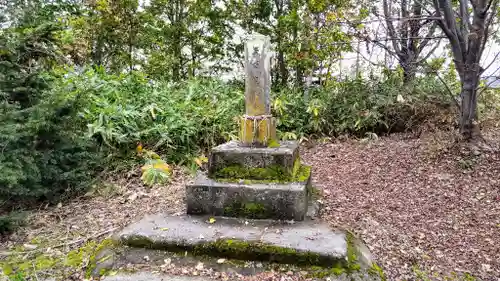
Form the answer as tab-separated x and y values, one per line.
84	83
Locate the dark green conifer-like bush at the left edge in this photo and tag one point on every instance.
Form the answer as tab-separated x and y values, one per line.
43	150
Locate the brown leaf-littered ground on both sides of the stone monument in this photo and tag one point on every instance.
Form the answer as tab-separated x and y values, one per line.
423	205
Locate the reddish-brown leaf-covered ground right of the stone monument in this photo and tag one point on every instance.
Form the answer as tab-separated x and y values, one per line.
419	204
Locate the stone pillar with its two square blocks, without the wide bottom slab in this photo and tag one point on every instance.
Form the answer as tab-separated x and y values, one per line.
257	176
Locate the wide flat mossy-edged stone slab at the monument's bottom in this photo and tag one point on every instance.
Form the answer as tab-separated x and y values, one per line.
307	242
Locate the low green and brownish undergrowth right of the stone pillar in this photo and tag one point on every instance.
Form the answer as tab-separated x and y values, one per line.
358	106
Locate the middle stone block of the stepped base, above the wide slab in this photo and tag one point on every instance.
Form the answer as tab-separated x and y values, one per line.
288	201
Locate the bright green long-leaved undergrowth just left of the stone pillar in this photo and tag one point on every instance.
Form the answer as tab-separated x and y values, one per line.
176	120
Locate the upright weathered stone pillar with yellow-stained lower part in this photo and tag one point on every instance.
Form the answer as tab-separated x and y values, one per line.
258	127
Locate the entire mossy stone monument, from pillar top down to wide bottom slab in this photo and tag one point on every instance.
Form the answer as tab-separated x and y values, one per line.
256	201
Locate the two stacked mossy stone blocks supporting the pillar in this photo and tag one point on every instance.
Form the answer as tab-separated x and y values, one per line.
249	182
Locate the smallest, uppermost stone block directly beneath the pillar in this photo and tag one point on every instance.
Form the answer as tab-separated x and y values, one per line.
231	153
